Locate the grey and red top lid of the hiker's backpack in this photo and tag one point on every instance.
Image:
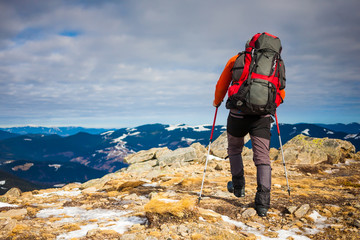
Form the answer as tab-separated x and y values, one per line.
265	41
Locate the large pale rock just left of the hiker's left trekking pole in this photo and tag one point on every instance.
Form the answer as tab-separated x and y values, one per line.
180	156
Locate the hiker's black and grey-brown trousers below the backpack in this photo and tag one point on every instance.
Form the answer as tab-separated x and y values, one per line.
259	129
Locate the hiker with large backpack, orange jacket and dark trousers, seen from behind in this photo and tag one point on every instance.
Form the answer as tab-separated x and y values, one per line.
251	113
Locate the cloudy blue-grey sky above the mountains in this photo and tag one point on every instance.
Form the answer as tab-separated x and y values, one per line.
127	63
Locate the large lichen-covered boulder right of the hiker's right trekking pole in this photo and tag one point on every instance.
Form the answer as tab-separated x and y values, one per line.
308	150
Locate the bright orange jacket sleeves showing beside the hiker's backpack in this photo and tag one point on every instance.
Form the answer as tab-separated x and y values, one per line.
225	80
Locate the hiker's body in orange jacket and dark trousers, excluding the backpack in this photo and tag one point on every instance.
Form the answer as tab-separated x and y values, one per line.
239	124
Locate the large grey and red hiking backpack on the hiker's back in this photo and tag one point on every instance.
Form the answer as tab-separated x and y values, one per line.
257	76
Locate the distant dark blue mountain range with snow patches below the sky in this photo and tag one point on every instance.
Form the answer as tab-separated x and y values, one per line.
75	154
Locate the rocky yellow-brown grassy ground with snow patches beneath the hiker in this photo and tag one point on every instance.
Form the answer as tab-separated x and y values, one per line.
160	201
